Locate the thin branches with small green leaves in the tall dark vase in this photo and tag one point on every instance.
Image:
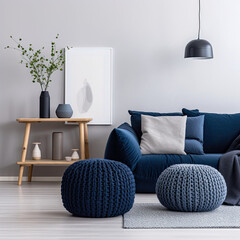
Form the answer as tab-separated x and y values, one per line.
41	68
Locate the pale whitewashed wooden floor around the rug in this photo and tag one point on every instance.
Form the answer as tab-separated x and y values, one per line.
34	211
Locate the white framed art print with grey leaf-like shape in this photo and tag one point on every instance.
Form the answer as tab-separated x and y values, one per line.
88	83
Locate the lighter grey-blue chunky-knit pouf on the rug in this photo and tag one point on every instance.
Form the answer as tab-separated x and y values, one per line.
191	188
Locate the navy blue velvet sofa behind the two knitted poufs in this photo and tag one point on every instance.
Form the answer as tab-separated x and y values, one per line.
220	130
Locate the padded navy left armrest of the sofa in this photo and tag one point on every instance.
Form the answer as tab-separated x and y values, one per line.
123	146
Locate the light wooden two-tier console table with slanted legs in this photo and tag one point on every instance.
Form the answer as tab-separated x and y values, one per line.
84	151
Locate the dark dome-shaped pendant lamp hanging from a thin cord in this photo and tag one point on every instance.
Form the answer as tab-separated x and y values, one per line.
199	48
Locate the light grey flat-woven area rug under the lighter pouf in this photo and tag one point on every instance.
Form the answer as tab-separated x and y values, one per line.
154	215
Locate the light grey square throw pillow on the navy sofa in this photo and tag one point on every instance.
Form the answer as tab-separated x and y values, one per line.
163	135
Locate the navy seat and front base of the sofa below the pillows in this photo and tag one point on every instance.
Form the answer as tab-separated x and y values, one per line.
149	167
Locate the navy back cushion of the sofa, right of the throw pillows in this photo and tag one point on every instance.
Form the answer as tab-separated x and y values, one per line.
220	130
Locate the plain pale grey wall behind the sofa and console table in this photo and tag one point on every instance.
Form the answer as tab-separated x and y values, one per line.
150	73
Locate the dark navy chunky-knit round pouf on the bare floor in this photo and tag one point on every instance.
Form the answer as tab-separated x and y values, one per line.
98	188
